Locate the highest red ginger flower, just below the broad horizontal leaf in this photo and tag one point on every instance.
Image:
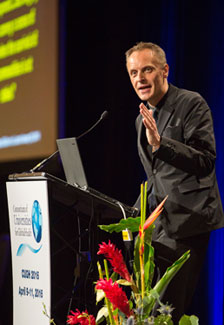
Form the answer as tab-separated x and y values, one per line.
116	259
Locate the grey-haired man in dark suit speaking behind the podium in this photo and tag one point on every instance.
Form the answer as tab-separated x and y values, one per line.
176	145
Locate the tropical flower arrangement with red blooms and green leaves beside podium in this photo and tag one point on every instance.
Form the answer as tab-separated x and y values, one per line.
118	308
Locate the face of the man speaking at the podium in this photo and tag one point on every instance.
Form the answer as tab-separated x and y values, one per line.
148	76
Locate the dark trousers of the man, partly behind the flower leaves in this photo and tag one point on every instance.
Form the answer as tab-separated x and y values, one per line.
180	290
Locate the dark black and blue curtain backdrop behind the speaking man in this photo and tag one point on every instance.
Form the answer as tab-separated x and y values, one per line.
94	36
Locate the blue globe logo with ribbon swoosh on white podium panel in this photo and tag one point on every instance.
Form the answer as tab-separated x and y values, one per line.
36	221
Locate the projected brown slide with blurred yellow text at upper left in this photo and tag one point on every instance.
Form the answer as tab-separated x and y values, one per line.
28	78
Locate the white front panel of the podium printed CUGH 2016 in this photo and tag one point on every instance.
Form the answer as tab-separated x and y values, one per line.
30	247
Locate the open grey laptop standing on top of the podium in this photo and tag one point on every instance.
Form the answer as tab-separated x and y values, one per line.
75	174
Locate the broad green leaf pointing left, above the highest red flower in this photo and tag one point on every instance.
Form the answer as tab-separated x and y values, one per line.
130	223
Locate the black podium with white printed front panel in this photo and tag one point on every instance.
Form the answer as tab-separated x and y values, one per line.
54	240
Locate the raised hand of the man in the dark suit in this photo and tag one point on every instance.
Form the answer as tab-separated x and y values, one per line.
152	134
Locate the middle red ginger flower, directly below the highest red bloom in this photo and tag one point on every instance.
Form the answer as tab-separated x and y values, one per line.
115	294
